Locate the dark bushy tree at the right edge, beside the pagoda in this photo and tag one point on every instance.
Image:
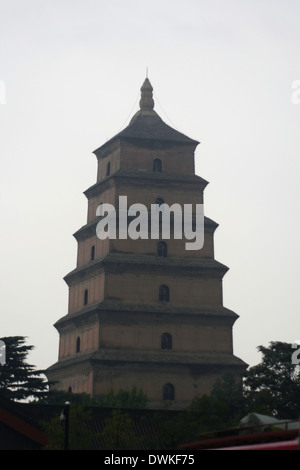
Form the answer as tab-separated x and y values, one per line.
274	384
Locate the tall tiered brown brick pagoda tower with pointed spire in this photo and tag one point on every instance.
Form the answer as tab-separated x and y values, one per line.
145	312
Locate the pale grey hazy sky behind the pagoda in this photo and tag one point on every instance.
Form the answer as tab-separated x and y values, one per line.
222	72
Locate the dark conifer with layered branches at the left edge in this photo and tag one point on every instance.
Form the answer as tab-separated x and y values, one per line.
19	380
